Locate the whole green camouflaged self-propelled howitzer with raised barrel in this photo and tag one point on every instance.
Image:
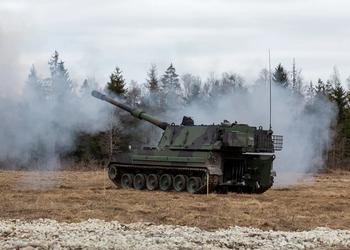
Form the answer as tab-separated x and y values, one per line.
197	158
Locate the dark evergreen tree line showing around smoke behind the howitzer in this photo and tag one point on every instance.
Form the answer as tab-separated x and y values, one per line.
160	93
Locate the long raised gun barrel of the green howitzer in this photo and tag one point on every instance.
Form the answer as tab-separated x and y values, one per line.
138	113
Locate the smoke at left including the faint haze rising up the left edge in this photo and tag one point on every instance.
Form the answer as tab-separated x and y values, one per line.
36	128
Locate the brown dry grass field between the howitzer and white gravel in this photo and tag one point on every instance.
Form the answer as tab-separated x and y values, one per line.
74	196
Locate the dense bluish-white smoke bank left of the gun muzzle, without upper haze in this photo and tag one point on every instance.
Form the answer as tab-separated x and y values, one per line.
46	129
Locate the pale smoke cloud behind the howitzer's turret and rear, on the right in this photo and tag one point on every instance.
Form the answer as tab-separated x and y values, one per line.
306	126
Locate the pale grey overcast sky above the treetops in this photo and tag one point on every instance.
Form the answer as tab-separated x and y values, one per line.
198	36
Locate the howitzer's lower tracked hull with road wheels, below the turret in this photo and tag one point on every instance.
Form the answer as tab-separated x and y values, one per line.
195	171
